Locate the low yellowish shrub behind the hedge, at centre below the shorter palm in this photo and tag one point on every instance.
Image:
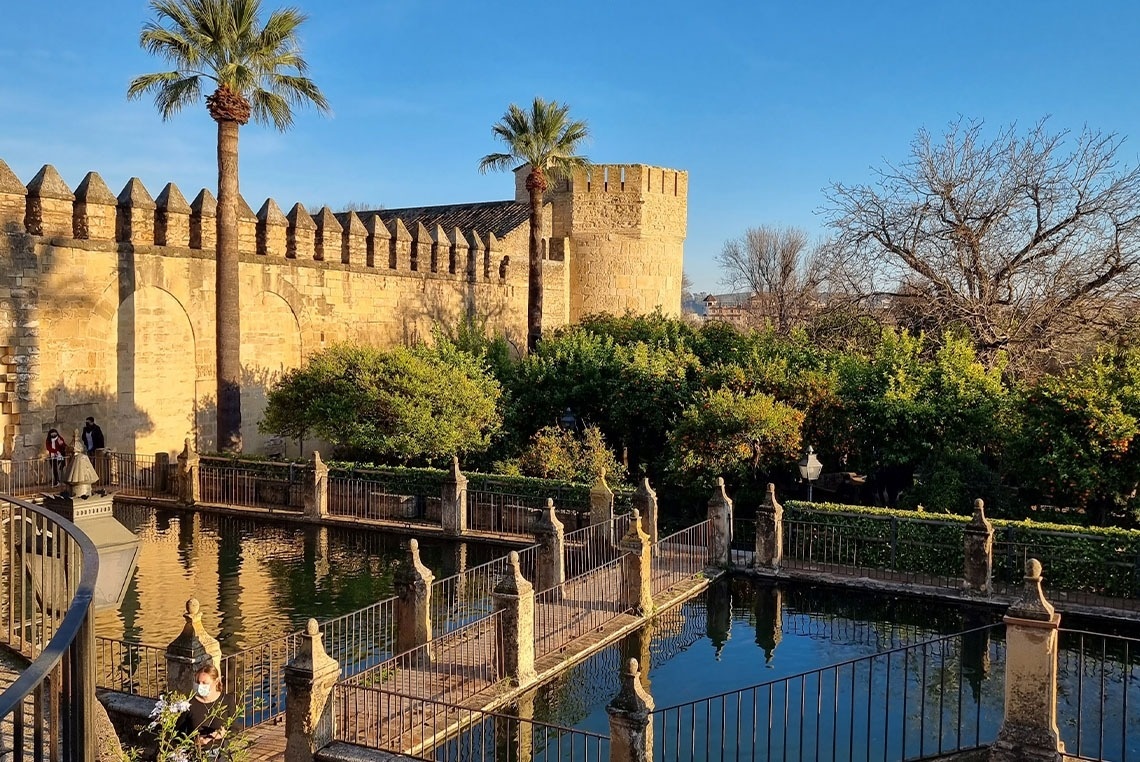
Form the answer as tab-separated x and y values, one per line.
557	453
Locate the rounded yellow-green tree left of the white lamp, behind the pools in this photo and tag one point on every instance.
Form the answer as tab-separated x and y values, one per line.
740	437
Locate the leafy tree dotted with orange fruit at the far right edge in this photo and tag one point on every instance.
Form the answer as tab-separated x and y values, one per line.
1076	443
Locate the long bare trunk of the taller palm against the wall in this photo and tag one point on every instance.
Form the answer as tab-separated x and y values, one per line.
229	305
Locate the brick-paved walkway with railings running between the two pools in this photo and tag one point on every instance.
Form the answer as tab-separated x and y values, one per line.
411	703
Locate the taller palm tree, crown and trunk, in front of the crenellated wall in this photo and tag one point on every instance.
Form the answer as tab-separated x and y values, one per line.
258	71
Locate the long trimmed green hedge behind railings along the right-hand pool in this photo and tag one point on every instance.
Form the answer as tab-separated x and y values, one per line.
1102	561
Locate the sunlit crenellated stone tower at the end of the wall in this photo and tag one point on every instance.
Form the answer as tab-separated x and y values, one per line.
620	231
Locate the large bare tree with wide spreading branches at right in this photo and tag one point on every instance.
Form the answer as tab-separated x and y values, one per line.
1030	242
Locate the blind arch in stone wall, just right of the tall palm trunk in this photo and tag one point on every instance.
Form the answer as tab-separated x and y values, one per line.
271	346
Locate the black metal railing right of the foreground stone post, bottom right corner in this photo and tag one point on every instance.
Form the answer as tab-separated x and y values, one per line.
1098	695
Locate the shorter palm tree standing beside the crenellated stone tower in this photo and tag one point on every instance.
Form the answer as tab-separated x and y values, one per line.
547	140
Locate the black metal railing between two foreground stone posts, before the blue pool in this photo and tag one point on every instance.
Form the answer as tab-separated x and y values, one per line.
914	702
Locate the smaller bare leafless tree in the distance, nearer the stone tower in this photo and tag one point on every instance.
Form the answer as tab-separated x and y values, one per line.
779	271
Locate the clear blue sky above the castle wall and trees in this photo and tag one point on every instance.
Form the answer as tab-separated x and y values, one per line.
763	103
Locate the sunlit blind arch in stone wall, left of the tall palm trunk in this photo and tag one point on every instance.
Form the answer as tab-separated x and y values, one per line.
152	369
